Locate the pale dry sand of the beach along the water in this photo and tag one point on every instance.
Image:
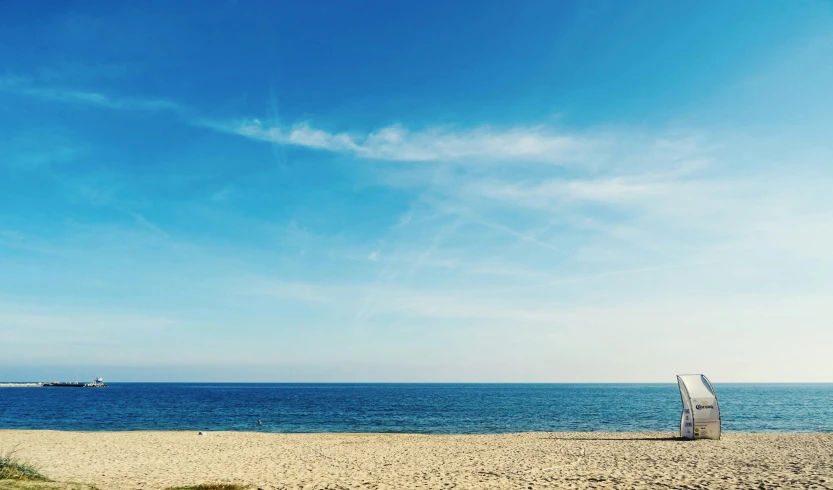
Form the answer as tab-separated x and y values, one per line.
156	460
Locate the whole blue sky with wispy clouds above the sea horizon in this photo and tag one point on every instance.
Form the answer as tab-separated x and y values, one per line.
436	191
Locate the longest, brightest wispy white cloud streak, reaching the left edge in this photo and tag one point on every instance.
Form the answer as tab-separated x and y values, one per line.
536	143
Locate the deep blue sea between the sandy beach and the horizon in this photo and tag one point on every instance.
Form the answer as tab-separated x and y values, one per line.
411	408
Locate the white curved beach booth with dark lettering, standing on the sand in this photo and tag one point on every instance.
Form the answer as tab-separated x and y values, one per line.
701	413
